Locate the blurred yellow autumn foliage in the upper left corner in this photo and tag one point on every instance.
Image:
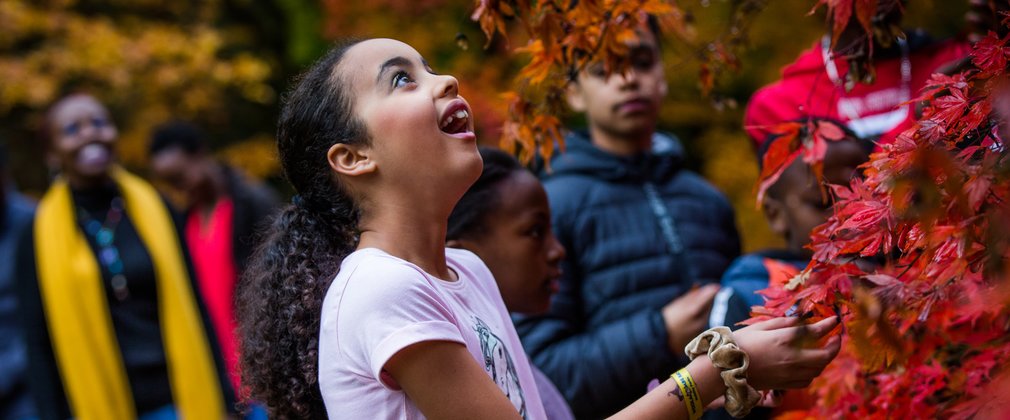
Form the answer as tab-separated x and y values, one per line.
147	71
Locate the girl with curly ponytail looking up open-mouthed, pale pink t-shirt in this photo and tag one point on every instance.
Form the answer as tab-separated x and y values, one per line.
354	308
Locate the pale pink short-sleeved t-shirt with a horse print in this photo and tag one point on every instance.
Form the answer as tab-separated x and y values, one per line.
379	304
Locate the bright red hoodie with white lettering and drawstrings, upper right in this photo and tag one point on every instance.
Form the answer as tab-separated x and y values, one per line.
819	81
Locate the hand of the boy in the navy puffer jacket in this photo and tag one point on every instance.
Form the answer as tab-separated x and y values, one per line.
687	317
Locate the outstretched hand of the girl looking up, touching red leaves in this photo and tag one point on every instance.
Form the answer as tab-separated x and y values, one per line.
784	354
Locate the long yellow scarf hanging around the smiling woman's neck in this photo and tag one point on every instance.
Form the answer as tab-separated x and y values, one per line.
78	314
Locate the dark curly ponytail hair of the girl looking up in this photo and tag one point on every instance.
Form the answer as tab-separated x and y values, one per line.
279	300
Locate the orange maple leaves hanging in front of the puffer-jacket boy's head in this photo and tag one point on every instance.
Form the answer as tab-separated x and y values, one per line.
564	38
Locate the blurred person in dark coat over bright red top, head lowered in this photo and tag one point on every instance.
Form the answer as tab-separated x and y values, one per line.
224	216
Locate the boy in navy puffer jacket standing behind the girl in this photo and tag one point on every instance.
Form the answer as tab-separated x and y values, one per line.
642	234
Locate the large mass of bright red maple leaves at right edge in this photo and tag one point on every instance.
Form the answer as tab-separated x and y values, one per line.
916	262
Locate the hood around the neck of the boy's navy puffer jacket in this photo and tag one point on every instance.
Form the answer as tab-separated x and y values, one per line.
582	158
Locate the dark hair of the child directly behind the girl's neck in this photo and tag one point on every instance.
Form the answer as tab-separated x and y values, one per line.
469	217
